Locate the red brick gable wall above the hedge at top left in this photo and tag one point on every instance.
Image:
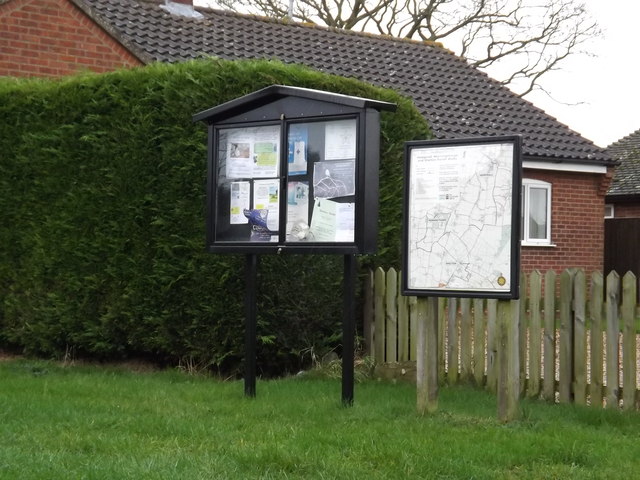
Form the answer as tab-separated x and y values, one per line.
54	38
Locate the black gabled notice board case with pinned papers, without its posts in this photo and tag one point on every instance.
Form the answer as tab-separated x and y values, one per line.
293	170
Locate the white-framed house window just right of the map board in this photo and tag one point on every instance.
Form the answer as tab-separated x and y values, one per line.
536	212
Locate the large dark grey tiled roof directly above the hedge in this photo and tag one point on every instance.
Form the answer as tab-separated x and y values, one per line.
457	100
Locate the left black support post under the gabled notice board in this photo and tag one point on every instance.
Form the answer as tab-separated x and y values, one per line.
251	275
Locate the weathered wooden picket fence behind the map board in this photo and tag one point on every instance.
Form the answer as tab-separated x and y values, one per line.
564	326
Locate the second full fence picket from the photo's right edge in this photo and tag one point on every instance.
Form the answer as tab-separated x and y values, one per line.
613	331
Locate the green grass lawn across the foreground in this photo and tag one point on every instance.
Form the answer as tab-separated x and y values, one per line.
107	423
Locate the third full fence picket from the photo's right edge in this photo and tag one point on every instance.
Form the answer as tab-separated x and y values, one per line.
595	314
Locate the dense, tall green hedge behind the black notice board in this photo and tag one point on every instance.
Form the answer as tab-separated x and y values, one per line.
102	183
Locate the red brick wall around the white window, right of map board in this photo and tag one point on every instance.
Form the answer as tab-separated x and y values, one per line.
577	223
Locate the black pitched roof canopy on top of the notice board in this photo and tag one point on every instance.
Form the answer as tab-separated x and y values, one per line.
272	93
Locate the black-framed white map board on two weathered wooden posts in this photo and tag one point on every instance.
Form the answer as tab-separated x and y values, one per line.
461	202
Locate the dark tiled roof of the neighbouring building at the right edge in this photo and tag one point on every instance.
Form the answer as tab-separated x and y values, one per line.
626	180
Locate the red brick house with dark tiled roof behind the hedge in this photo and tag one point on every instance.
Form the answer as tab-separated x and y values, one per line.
565	175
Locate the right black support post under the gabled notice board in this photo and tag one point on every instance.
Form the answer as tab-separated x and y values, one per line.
348	329
